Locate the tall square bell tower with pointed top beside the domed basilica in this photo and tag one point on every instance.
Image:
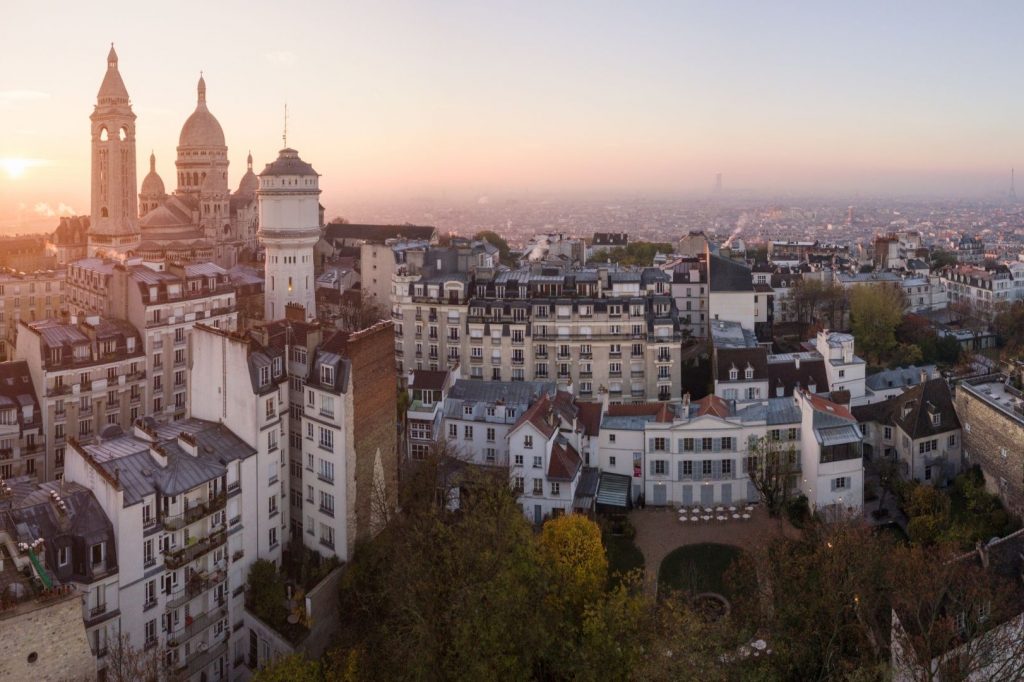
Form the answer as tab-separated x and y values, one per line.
114	230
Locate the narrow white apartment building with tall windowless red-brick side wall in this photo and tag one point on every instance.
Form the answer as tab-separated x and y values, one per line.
350	446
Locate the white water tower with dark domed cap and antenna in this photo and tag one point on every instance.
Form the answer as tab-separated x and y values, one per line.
289	229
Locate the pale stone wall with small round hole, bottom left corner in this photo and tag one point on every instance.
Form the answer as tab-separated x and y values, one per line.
56	635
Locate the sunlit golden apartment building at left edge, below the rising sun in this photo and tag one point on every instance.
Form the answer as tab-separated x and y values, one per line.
28	296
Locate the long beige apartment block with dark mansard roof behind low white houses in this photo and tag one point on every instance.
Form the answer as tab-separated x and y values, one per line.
583	329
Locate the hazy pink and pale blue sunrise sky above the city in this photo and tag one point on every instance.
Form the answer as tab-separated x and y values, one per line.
460	99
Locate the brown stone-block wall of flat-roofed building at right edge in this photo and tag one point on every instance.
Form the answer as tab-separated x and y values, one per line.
987	432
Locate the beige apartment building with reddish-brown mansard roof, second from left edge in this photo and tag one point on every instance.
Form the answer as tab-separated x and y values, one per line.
89	374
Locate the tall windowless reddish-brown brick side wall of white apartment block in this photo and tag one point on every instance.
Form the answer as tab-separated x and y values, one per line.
375	397
